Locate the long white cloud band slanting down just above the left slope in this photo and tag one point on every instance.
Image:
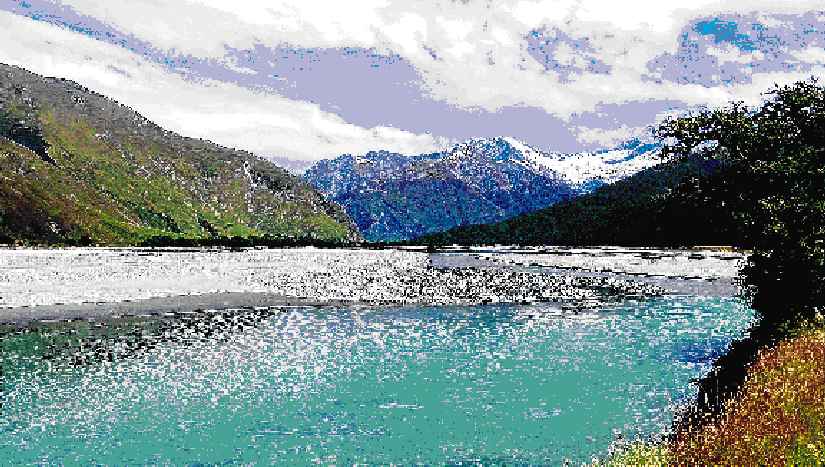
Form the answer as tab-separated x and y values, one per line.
226	114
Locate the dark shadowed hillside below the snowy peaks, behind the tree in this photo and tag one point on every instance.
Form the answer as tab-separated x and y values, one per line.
658	206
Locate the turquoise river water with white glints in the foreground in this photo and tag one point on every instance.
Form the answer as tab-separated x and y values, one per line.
429	385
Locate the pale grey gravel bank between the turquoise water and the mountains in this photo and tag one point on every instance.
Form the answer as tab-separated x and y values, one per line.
76	283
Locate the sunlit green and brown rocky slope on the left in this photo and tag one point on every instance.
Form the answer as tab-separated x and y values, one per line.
109	176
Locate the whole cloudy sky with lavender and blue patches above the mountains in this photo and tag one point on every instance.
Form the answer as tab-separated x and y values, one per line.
307	79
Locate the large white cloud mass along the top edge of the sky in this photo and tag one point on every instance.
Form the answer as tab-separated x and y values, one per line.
625	36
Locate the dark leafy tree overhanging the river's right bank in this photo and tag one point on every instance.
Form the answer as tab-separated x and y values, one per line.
774	159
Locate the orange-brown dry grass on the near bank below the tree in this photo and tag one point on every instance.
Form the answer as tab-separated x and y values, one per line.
777	418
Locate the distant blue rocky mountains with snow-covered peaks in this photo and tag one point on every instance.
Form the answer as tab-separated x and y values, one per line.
392	197
